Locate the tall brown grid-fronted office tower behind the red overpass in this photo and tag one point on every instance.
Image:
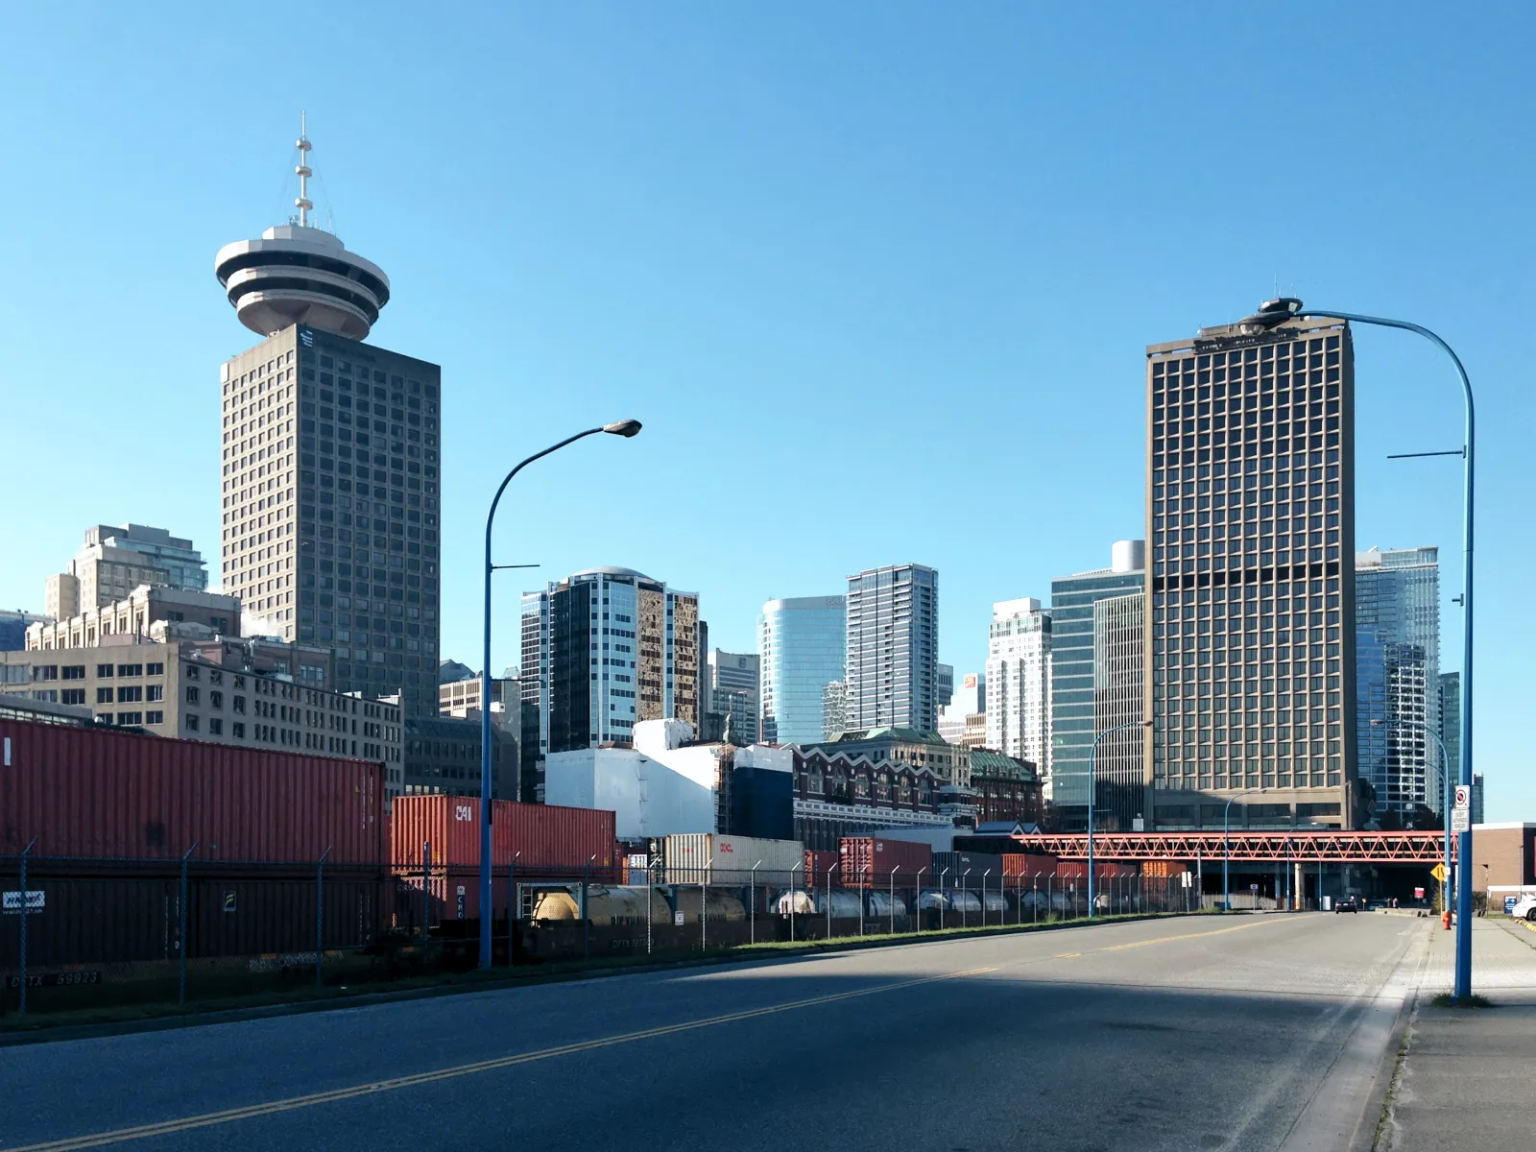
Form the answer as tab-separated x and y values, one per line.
1251	617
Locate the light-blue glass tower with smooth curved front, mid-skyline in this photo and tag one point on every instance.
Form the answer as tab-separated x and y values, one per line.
801	646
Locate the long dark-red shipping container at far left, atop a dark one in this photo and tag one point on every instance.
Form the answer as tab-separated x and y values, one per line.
104	793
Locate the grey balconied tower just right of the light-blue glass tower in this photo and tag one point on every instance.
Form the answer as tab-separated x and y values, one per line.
893	647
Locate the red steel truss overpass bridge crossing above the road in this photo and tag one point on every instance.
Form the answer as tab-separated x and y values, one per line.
1325	847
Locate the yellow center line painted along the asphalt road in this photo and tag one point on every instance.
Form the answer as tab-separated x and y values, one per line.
294	1104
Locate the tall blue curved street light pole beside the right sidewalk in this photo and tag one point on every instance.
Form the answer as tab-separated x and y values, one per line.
1277	313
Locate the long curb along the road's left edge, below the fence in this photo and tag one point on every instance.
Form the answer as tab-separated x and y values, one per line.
194	1019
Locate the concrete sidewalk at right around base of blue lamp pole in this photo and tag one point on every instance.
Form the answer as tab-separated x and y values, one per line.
1466	1078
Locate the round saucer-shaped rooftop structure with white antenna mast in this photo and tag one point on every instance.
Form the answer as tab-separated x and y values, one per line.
299	274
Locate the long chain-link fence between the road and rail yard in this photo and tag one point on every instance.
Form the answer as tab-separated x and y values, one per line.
101	933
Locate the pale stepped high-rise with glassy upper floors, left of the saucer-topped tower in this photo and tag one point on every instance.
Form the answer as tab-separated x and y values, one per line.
118	560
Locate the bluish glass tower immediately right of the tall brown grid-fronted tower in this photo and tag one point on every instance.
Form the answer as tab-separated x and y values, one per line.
1397	617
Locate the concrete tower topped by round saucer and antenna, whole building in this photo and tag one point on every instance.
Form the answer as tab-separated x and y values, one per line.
331	463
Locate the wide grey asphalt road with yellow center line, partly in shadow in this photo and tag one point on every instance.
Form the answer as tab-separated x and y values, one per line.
1240	1033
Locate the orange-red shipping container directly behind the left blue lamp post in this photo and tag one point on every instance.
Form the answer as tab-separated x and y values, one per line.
548	839
